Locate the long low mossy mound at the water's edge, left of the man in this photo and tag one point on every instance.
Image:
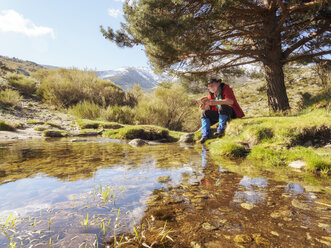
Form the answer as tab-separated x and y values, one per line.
138	132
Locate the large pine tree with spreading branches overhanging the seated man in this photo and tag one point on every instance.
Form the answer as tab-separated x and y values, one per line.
203	36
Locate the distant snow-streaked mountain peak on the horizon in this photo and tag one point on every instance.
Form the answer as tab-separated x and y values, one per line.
126	77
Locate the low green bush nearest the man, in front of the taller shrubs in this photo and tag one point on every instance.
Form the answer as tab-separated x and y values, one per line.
121	114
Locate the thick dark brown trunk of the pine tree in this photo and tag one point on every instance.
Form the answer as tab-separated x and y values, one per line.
277	97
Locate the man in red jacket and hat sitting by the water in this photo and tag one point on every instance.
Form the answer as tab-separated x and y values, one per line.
220	107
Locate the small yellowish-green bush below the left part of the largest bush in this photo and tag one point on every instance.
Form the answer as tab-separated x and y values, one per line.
86	110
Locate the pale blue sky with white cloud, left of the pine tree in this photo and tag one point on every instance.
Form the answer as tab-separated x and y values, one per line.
65	33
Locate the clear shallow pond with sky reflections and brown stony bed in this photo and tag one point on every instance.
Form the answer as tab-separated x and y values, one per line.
60	193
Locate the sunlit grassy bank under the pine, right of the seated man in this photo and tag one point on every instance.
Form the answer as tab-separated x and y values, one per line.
277	141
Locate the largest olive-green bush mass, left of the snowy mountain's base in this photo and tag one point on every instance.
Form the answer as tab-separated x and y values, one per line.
68	87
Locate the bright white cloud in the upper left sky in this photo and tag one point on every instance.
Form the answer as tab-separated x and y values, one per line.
11	21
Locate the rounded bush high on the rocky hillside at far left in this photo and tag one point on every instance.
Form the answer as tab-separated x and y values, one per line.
26	86
